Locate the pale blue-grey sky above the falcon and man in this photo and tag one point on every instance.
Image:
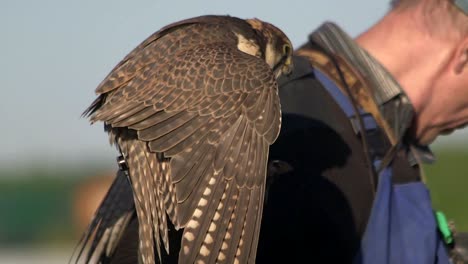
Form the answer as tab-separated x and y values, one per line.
55	52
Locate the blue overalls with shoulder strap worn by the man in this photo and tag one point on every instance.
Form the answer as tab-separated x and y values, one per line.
402	227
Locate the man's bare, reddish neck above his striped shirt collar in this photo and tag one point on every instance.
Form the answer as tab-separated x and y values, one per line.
399	36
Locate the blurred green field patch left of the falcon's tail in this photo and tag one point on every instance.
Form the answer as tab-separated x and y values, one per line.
36	206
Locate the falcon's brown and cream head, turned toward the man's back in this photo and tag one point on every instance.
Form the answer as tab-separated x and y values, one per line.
276	46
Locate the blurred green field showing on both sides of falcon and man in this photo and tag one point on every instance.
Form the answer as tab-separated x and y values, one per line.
35	205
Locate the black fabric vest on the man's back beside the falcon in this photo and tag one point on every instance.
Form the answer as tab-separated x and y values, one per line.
319	210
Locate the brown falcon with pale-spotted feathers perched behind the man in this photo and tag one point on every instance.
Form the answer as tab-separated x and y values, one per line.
193	110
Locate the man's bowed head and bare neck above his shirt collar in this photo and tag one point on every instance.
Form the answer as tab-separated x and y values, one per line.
424	44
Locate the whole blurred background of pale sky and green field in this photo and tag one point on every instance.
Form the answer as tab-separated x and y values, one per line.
53	53
